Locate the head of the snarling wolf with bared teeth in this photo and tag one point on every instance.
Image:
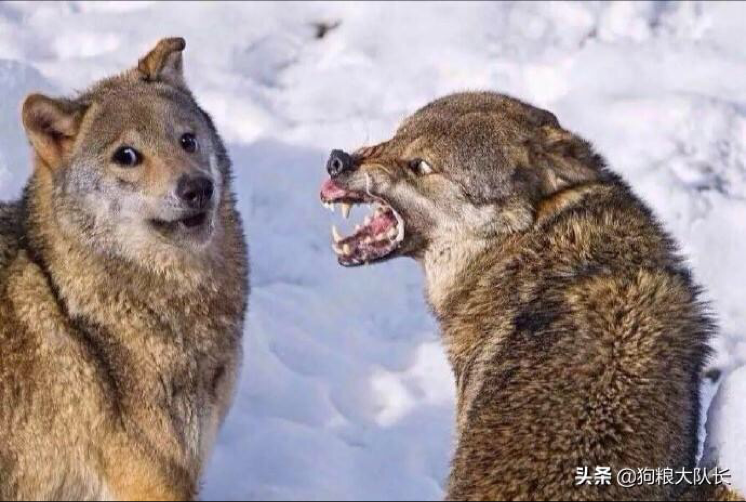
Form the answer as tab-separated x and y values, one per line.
467	166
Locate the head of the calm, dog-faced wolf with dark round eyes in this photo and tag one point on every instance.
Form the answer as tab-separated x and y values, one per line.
133	167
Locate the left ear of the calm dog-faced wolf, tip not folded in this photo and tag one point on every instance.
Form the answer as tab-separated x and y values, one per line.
51	126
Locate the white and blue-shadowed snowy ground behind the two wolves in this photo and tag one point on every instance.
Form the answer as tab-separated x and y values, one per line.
346	392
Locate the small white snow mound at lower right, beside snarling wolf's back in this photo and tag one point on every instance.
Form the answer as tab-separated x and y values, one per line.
726	429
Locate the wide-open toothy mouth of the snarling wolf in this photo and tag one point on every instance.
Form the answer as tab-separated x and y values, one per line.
377	237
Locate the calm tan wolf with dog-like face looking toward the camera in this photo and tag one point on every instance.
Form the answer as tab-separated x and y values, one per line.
123	289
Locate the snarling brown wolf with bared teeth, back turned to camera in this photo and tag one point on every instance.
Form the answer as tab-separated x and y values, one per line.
573	328
